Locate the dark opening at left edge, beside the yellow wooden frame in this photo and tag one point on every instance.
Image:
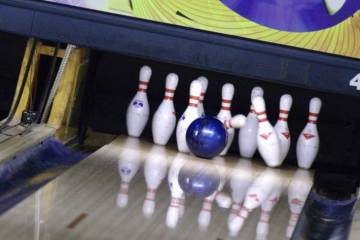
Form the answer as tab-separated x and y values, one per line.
11	53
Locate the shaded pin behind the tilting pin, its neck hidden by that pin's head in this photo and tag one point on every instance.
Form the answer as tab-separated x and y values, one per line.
248	133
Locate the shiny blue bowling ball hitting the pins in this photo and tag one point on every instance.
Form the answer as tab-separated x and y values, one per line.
206	137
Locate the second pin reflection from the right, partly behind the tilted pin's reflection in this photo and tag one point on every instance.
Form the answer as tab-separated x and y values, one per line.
262	228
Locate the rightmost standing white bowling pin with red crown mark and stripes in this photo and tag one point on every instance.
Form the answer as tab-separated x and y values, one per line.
307	146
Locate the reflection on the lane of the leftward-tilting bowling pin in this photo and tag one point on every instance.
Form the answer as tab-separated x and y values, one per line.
259	191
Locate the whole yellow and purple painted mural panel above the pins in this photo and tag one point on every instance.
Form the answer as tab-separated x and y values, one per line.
331	26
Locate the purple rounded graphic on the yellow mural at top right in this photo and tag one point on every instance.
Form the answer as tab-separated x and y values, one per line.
295	15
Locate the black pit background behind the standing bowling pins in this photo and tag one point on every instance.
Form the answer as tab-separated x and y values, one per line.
117	79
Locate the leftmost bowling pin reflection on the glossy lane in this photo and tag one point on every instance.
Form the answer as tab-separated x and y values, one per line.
128	165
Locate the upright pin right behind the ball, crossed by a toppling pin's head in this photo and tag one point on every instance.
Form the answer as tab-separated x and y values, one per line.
224	115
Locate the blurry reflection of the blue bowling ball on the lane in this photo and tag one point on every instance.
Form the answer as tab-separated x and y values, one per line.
199	181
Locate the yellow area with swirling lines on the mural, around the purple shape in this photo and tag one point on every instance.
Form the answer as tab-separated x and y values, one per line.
212	15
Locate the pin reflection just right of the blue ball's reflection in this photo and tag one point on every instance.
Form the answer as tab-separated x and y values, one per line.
204	217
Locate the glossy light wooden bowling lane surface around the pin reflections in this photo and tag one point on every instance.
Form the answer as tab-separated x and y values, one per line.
82	204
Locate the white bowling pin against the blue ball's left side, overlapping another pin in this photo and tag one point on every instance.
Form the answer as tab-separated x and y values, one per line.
191	113
